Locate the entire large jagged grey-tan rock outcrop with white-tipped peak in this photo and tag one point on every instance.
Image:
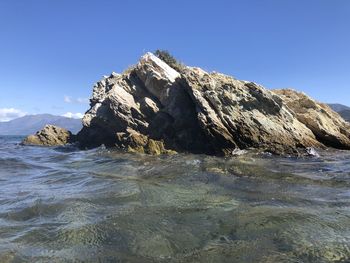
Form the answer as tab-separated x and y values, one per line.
154	106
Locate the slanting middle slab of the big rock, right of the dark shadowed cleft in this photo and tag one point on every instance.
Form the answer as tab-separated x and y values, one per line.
246	114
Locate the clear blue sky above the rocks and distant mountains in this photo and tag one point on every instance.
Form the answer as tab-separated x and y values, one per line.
57	48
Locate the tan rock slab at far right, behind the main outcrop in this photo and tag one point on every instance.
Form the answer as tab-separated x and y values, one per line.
327	125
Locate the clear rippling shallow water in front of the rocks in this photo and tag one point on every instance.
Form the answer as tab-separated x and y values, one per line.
64	205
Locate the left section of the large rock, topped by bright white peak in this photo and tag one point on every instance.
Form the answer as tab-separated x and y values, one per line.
147	102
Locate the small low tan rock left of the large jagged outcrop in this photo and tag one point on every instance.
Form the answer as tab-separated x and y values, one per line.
50	135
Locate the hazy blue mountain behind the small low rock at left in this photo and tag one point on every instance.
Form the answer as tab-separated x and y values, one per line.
32	123
